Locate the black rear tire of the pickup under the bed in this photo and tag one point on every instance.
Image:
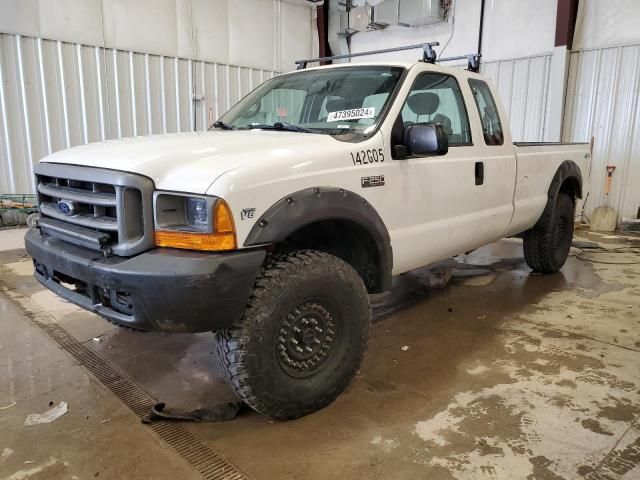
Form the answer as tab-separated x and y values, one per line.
547	245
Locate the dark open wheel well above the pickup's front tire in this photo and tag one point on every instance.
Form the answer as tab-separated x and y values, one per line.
346	240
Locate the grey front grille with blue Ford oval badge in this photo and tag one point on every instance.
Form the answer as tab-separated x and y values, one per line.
96	208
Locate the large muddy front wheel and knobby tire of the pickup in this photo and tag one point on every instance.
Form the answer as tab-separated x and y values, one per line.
301	339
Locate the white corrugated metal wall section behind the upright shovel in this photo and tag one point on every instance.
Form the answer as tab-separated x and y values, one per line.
602	101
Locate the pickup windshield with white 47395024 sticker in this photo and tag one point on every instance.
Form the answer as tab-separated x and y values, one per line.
336	100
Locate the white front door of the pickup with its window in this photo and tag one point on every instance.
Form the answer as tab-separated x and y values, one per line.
455	202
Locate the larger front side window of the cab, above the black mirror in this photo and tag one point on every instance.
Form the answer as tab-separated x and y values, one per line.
436	98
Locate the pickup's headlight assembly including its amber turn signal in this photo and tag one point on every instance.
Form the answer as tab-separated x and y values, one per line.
194	223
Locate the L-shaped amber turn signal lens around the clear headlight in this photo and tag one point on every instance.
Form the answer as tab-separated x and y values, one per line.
222	238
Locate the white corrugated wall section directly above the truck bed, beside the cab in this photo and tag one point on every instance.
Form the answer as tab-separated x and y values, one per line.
523	84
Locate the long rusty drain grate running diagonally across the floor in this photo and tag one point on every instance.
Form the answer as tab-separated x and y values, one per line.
205	461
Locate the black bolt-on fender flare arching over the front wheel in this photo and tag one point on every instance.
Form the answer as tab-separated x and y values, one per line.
315	204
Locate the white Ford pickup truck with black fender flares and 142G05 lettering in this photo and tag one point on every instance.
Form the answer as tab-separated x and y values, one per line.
273	228
